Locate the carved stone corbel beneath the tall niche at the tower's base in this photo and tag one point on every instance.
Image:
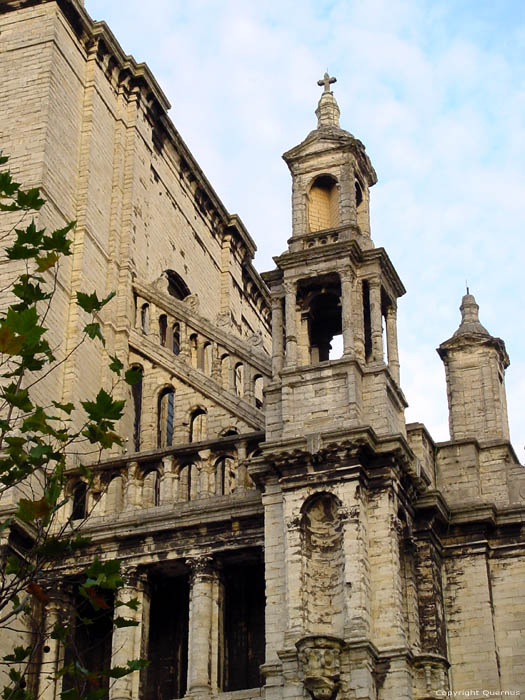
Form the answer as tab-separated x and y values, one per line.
320	660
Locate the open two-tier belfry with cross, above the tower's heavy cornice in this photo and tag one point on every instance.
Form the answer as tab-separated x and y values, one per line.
333	282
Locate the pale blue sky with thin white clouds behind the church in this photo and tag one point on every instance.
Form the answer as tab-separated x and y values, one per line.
435	89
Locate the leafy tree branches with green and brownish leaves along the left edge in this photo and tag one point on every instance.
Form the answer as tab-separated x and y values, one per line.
37	528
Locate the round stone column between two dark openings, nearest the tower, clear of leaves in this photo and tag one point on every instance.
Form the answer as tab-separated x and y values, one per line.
203	586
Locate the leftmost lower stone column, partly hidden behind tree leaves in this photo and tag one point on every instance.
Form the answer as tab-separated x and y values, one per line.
59	610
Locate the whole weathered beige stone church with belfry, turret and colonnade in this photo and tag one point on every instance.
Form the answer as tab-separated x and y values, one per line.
287	533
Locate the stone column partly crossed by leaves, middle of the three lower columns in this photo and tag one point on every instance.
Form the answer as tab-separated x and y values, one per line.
127	642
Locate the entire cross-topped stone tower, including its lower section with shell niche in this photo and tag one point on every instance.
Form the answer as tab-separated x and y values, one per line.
336	462
